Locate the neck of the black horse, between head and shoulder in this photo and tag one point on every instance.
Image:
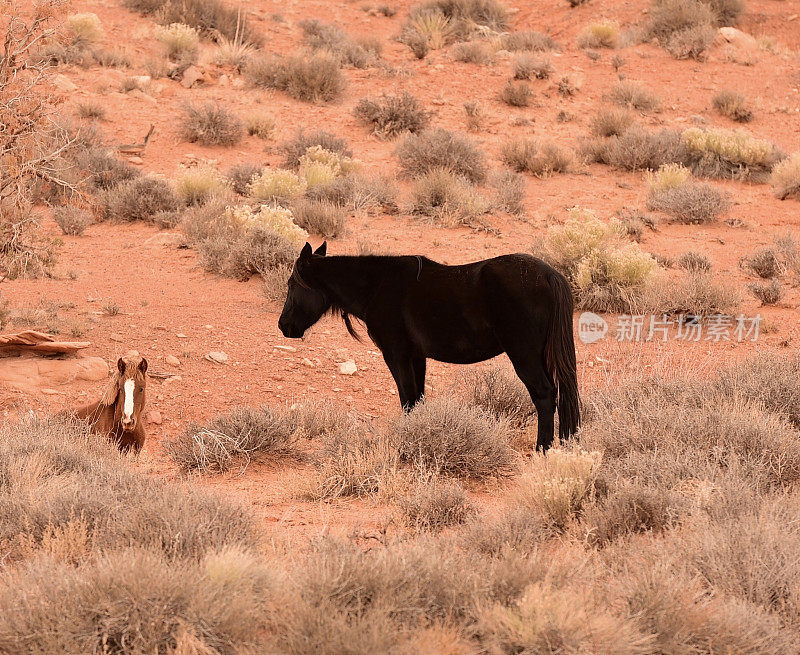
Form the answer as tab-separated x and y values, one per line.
352	282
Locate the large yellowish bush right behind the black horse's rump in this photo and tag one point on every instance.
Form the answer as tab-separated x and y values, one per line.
607	272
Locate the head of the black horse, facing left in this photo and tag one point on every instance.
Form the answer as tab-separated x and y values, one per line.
305	301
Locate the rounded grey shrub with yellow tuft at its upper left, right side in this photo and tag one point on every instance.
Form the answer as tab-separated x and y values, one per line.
673	193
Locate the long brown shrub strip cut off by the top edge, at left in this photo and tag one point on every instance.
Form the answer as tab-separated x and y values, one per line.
210	17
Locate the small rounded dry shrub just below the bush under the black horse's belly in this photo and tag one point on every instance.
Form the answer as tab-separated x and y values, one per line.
434	505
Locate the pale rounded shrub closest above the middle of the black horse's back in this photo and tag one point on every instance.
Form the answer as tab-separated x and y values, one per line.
447	198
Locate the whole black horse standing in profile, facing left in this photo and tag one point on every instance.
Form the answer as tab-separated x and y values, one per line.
415	308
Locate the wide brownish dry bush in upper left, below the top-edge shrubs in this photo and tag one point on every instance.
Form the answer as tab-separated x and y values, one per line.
310	78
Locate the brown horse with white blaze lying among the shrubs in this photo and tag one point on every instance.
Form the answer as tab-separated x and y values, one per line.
117	415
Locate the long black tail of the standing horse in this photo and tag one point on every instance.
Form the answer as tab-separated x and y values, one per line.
560	356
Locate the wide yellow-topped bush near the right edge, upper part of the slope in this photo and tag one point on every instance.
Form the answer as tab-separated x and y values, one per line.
723	153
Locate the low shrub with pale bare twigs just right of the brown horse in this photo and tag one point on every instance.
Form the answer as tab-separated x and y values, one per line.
233	439
